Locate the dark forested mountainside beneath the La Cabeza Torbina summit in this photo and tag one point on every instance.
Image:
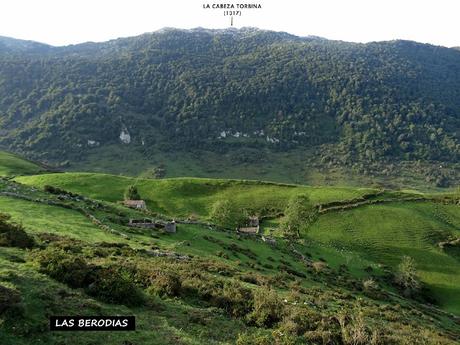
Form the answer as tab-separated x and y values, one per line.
356	105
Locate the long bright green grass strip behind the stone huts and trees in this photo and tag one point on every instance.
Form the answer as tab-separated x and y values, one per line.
186	196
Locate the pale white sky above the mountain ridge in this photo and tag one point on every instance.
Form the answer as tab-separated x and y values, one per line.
61	22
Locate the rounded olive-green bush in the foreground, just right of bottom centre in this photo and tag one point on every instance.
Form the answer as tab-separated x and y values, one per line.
268	308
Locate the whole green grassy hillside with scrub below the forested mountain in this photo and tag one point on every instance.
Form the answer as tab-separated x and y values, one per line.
209	285
